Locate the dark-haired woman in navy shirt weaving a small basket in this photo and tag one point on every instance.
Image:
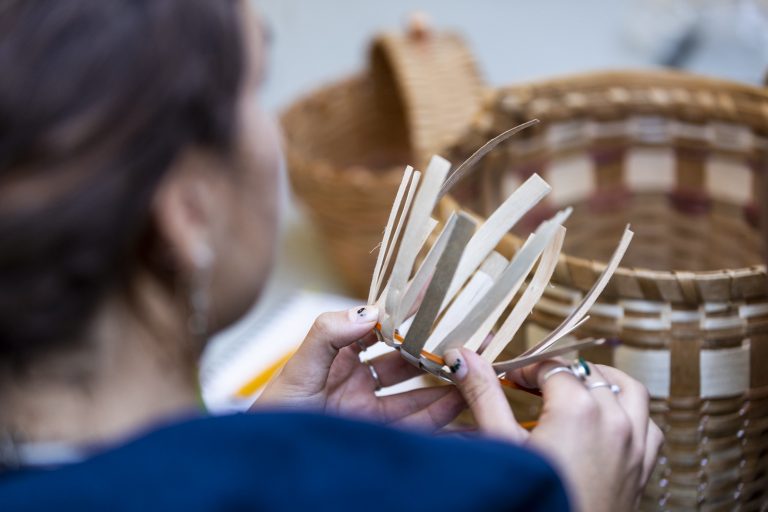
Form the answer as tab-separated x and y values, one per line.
137	211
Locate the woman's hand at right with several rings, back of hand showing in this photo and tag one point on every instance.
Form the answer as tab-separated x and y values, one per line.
603	444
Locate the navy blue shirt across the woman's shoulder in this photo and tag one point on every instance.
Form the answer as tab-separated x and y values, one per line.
292	461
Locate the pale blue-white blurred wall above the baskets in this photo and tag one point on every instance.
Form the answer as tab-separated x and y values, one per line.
317	41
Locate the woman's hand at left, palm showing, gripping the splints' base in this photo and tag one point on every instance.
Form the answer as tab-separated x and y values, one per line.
326	374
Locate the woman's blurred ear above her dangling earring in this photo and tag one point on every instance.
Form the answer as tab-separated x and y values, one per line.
186	209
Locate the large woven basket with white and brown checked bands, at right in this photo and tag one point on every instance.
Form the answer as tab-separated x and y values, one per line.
682	158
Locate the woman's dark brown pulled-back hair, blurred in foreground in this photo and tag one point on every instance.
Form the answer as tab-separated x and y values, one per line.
97	98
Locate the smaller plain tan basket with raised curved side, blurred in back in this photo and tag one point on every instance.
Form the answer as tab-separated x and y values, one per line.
347	144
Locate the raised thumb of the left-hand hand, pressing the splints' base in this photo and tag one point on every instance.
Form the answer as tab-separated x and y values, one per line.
330	333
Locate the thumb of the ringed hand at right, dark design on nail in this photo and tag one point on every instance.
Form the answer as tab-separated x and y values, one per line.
480	386
